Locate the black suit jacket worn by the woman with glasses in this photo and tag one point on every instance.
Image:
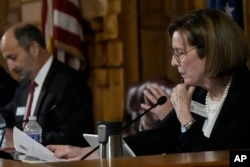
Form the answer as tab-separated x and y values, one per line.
231	129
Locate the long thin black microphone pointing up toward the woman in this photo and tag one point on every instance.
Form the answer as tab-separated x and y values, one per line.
160	101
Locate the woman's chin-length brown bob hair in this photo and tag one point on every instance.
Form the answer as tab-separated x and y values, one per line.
217	37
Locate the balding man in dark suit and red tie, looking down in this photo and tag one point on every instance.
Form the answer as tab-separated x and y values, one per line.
62	98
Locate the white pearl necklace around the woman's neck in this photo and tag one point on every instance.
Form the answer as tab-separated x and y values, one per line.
211	106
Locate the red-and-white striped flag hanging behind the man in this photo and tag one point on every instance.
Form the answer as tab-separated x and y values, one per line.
61	24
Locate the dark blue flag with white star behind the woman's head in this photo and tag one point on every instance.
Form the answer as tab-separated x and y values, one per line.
232	7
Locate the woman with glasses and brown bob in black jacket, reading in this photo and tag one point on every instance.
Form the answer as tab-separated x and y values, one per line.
210	52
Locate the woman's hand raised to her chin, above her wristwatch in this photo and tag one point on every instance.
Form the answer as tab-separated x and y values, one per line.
181	99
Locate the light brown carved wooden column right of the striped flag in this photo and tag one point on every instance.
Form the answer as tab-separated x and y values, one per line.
105	53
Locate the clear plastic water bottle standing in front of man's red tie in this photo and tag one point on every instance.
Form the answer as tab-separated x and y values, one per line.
33	129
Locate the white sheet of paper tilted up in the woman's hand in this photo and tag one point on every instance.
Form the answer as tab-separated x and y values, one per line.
25	144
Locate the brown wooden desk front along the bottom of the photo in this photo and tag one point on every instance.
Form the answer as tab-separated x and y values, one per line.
202	159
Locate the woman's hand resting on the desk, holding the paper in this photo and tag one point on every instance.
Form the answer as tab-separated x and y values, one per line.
71	152
